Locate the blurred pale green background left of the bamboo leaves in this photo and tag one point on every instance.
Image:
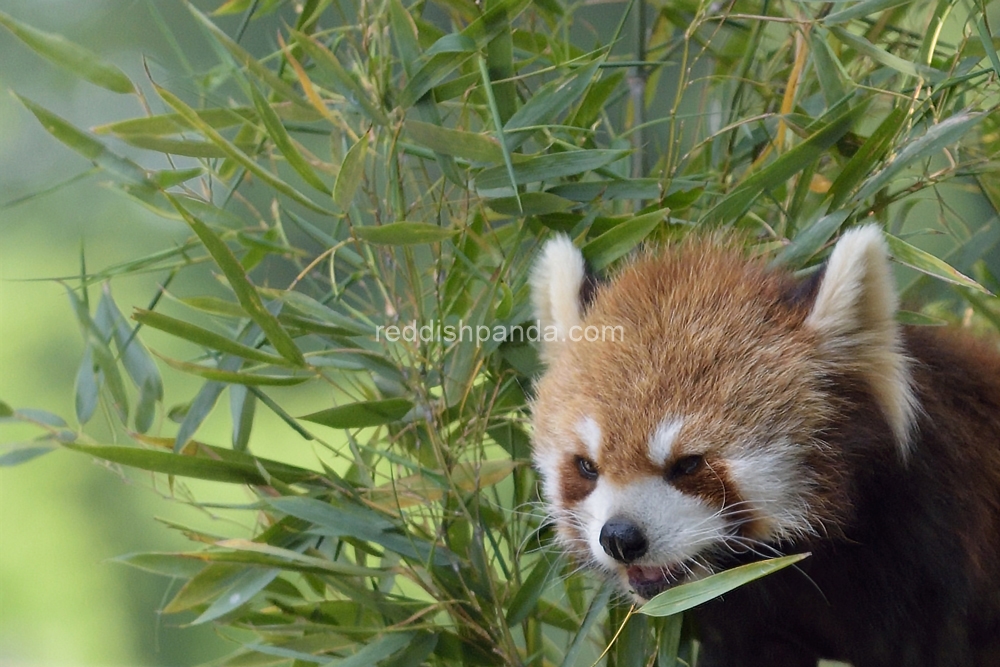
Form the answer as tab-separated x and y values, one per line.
63	602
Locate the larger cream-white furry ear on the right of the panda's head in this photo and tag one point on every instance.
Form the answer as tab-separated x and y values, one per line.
854	314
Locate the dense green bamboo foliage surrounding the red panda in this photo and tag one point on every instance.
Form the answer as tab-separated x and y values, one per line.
371	193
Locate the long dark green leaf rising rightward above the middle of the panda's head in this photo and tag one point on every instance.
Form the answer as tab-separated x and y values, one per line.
736	203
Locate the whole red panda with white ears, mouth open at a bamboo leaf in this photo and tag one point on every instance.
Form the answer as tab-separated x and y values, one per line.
742	413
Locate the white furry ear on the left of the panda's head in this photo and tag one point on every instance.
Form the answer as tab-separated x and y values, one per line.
555	291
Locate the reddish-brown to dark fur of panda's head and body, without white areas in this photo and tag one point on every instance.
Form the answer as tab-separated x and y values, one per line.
906	557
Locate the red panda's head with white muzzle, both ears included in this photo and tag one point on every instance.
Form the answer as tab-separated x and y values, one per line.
689	434
